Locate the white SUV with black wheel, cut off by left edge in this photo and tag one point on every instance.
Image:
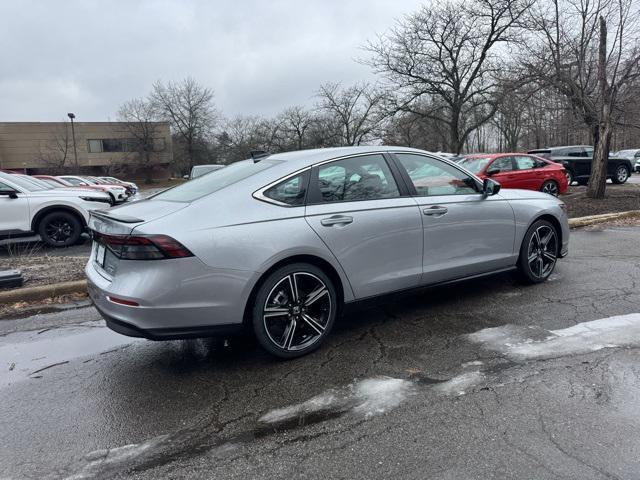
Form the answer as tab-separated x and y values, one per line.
59	216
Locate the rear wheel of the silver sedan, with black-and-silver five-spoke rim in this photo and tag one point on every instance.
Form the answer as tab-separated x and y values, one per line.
294	311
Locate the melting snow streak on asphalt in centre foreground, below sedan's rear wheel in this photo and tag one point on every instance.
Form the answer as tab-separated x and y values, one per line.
369	397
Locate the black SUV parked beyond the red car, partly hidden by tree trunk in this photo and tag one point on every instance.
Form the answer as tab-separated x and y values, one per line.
576	161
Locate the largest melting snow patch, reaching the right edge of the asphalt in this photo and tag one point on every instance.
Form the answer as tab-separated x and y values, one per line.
522	343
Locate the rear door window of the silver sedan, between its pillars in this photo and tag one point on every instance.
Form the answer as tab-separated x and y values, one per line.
366	177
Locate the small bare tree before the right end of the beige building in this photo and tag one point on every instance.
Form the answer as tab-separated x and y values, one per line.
139	117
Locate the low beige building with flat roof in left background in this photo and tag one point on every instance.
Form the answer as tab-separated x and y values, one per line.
43	147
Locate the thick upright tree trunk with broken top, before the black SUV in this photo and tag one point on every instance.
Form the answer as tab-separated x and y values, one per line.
602	132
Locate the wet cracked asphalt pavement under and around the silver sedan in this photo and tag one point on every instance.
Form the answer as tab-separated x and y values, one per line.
79	401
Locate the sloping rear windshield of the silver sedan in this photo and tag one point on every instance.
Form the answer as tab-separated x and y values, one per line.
201	186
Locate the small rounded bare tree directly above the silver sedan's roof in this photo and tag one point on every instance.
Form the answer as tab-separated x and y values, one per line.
355	111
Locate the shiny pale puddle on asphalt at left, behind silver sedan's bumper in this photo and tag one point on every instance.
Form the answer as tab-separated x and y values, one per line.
25	355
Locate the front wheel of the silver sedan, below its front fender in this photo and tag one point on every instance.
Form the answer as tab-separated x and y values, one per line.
539	252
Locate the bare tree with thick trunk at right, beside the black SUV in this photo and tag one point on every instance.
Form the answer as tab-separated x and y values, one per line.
574	57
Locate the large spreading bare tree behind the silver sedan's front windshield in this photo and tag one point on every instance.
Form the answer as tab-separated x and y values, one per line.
444	56
